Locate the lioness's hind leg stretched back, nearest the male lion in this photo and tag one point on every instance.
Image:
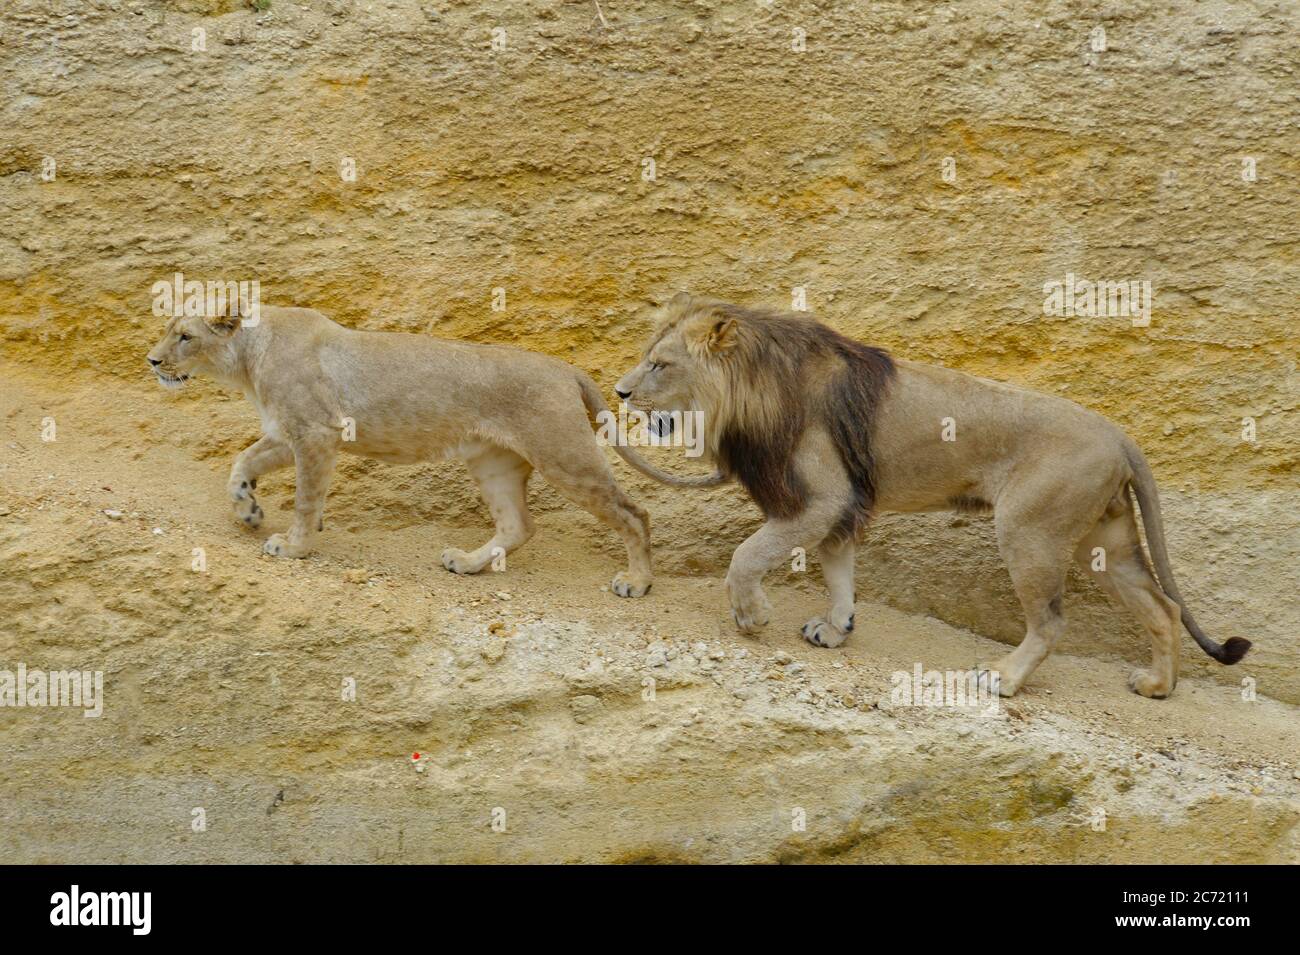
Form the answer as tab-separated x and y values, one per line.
584	477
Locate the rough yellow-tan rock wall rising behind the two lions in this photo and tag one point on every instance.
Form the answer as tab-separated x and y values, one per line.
523	168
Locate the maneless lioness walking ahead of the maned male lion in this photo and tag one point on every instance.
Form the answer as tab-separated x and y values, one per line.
322	388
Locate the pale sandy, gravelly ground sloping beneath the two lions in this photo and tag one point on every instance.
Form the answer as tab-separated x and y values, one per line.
526	692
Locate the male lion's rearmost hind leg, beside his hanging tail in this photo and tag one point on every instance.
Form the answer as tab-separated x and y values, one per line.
1112	555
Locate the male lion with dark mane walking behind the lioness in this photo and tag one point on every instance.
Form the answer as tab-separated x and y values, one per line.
822	431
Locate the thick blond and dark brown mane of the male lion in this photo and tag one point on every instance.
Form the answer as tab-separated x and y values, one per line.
811	375
